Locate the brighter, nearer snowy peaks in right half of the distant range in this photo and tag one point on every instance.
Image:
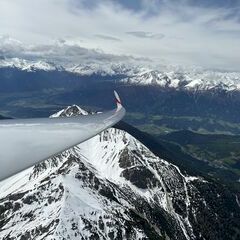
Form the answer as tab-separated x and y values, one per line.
187	80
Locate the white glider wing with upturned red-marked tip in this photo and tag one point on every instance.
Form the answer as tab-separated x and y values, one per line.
26	142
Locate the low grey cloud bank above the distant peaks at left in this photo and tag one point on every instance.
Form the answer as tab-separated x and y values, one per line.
60	52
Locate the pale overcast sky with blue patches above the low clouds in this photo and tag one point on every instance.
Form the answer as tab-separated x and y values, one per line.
185	32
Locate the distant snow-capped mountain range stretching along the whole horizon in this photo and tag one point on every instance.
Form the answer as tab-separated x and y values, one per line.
194	79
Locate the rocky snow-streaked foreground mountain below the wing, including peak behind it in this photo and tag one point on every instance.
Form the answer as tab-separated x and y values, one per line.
113	187
